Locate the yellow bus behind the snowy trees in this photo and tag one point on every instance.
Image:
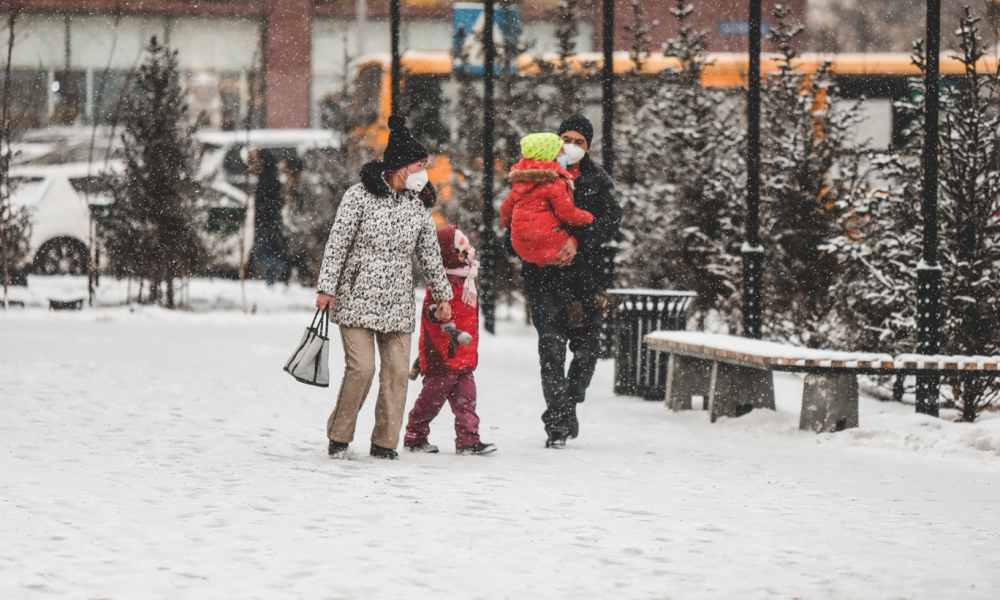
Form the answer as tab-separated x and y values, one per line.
881	78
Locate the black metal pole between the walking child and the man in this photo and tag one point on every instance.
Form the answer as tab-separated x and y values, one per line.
489	246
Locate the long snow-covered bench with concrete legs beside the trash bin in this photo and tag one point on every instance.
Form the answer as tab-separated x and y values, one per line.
734	374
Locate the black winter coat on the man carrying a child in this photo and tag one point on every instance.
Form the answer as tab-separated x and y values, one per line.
594	193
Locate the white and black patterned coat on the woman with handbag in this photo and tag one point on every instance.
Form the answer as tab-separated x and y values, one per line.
366	264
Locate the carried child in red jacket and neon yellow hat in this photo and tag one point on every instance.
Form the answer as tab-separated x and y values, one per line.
540	205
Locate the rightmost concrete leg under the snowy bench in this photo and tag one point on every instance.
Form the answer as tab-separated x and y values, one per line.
829	403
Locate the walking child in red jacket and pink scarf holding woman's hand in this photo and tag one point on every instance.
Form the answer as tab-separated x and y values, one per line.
449	353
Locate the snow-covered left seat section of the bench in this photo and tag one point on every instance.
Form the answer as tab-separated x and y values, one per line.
763	352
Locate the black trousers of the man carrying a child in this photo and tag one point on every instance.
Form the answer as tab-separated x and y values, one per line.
562	390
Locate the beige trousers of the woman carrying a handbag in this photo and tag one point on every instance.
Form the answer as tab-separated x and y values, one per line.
359	370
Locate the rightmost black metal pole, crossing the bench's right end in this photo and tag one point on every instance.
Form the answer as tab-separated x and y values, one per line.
928	271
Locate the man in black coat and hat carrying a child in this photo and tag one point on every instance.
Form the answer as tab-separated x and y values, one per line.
551	290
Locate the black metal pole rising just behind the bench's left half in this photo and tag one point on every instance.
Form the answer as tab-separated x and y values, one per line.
753	252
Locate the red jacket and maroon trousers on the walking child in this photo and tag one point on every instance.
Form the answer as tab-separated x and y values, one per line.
447	367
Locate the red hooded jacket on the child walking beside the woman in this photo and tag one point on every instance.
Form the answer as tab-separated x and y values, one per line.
437	352
